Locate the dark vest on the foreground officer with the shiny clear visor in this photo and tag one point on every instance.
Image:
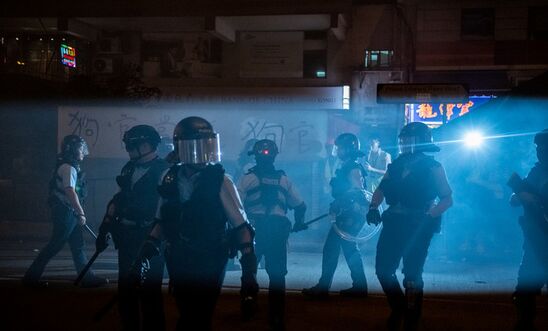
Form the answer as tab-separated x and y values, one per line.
199	222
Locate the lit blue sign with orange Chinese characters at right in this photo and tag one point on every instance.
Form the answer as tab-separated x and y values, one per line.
436	114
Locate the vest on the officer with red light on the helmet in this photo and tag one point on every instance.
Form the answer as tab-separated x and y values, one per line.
271	193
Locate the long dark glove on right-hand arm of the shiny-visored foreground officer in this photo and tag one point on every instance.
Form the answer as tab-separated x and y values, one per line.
250	288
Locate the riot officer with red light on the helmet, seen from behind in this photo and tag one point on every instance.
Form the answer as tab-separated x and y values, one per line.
267	194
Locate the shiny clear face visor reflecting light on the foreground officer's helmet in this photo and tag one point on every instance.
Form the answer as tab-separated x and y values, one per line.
199	151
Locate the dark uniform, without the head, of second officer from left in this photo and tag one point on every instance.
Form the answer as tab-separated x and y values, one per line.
135	206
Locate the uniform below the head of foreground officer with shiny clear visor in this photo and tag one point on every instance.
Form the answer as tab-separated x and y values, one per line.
194	213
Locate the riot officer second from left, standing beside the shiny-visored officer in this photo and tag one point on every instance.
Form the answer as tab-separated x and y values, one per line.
130	219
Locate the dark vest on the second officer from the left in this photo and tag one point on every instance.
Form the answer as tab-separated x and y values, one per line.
138	202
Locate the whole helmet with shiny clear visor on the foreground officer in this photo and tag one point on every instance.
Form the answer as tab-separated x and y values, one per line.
195	141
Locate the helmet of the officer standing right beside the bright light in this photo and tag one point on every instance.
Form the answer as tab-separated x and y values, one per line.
416	137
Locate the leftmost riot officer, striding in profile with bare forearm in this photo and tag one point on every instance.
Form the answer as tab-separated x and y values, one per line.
67	190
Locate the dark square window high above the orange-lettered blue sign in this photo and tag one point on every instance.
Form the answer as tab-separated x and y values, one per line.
477	23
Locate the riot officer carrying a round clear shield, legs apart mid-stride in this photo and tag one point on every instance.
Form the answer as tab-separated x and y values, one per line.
349	209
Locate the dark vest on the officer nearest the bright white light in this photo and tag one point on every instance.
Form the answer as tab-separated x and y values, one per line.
410	182
